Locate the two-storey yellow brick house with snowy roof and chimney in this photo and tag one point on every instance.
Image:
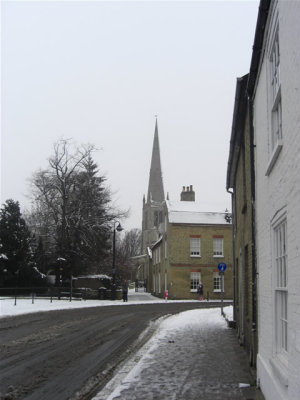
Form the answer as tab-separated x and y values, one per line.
190	247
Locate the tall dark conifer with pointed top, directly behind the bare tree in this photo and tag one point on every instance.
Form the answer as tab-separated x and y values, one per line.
89	221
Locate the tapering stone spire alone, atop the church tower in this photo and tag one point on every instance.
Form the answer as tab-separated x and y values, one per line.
155	187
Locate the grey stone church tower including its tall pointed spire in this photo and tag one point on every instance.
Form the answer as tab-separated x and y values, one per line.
153	206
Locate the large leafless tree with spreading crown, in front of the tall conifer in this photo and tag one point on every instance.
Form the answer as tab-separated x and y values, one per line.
73	209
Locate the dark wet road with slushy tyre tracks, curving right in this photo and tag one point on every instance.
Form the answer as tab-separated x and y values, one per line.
54	355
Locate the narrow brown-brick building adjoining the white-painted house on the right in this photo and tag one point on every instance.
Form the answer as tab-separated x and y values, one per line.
240	183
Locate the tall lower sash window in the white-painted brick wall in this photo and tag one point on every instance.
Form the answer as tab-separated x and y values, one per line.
280	271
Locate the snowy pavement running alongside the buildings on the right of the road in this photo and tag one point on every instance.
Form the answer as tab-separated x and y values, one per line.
193	356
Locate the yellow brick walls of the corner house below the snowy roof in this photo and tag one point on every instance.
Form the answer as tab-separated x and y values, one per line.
179	264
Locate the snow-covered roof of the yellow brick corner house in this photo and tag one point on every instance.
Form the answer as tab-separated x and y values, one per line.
190	212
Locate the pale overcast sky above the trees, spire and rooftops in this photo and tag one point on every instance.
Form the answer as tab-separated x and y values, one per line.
99	72
